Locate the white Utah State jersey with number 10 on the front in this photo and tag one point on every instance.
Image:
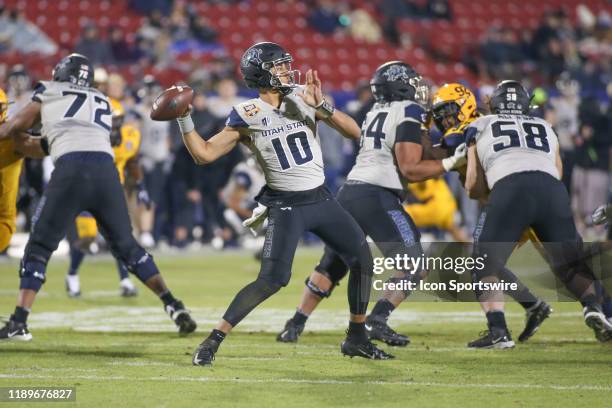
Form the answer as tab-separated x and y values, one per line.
284	141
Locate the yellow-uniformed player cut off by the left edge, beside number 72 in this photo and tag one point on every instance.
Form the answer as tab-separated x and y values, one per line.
10	168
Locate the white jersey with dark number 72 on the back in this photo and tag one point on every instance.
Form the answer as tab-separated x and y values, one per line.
74	118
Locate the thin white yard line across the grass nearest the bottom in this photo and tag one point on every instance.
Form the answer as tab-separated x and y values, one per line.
576	387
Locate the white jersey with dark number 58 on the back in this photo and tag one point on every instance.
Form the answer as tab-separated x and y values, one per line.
508	144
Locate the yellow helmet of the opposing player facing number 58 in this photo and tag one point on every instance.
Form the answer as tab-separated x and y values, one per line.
452	105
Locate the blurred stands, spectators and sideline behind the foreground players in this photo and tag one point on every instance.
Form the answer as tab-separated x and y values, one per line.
560	49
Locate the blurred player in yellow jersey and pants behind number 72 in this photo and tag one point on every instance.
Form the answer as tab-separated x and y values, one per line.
125	140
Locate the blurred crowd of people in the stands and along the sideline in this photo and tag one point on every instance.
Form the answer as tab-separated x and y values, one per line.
567	63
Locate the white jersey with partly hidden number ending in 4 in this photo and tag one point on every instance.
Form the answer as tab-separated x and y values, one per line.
386	124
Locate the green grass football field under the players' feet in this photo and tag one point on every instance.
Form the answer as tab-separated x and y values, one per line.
124	352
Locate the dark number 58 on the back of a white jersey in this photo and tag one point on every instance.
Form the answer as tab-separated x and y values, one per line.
535	136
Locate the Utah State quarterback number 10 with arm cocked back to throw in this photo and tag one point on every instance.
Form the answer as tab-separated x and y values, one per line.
280	128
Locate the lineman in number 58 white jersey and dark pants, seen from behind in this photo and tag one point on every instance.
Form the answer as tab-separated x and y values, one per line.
516	157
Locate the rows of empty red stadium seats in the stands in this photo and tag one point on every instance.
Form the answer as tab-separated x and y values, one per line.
438	45
